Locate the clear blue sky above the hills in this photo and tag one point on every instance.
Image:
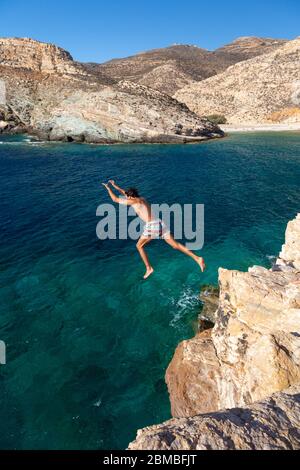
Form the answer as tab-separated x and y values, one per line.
99	30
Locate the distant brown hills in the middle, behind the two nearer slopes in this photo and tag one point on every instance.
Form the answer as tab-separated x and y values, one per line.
169	69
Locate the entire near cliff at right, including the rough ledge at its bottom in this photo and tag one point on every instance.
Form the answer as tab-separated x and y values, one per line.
237	385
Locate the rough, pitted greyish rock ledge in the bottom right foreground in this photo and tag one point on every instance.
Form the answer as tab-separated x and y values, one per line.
271	424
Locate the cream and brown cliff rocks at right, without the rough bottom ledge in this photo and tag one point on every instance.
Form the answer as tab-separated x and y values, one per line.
254	348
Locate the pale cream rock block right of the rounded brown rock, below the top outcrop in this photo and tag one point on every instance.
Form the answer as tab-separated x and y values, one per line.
256	335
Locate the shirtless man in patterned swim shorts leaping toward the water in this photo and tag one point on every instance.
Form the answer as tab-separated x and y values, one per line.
154	228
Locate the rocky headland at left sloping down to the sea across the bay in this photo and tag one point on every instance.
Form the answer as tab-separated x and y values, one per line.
47	93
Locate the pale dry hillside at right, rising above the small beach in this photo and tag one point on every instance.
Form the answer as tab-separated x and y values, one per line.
260	90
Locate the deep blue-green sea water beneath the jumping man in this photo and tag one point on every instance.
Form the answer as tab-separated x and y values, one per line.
88	341
